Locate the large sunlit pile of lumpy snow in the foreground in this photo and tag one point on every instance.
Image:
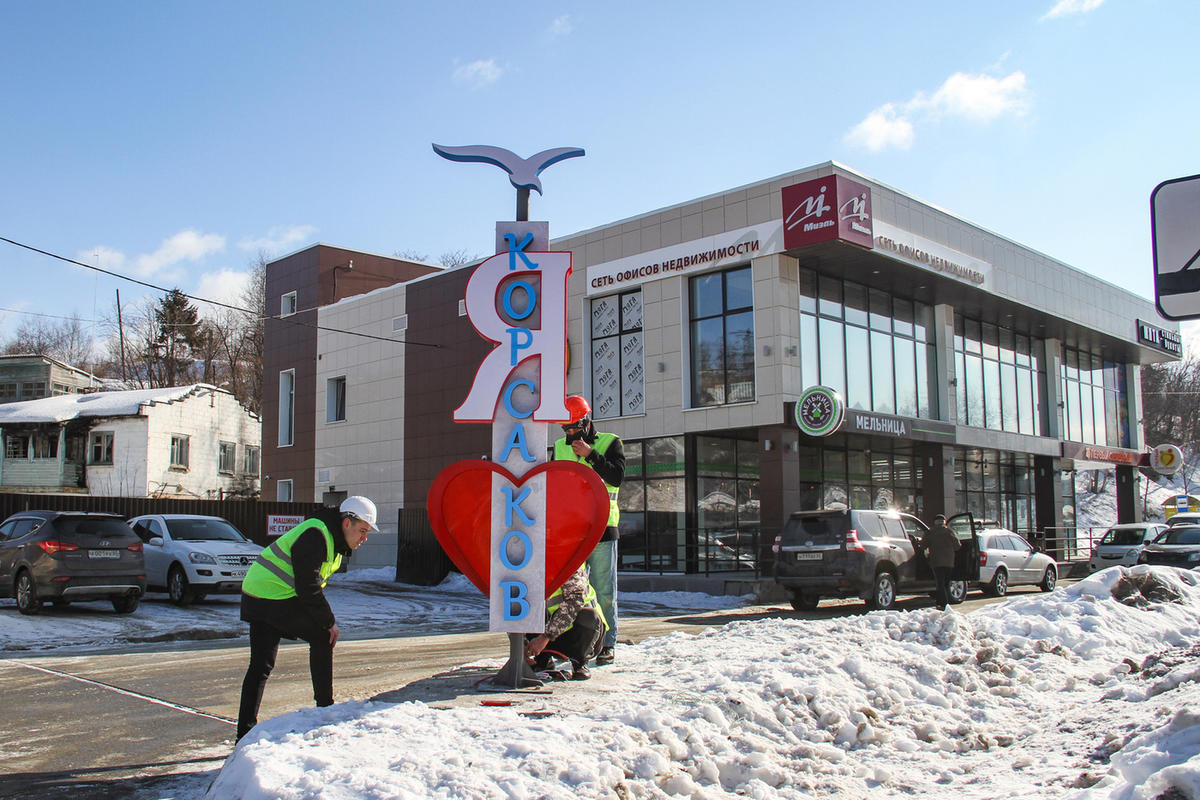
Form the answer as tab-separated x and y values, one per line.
1081	694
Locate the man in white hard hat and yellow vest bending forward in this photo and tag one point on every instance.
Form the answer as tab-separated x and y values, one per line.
283	597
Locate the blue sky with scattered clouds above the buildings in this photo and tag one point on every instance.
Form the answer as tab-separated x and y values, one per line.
173	142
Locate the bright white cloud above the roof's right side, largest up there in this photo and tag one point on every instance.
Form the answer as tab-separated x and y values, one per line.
980	99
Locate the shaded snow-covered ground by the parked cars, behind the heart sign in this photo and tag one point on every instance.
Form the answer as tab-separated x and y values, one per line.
377	605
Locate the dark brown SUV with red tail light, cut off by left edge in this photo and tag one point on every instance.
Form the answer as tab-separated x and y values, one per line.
68	556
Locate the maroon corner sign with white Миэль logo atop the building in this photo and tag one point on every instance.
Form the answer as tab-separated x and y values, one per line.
827	209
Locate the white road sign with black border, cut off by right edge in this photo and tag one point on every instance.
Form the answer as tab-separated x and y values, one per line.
1175	225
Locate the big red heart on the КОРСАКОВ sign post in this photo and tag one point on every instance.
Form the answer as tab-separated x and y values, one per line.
460	504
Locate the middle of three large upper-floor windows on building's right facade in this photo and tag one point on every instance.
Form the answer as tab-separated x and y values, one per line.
998	374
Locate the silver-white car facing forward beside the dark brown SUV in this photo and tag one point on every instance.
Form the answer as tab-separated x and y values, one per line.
191	556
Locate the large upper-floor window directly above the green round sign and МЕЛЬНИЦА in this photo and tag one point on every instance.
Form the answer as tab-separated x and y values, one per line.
874	348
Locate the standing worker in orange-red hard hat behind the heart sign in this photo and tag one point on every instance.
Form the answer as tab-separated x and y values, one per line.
604	454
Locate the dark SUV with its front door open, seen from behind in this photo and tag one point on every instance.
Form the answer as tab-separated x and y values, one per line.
871	555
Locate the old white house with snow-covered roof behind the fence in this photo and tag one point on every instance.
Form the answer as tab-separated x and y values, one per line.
185	442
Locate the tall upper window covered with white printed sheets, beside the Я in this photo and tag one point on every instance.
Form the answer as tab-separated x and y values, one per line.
619	357
